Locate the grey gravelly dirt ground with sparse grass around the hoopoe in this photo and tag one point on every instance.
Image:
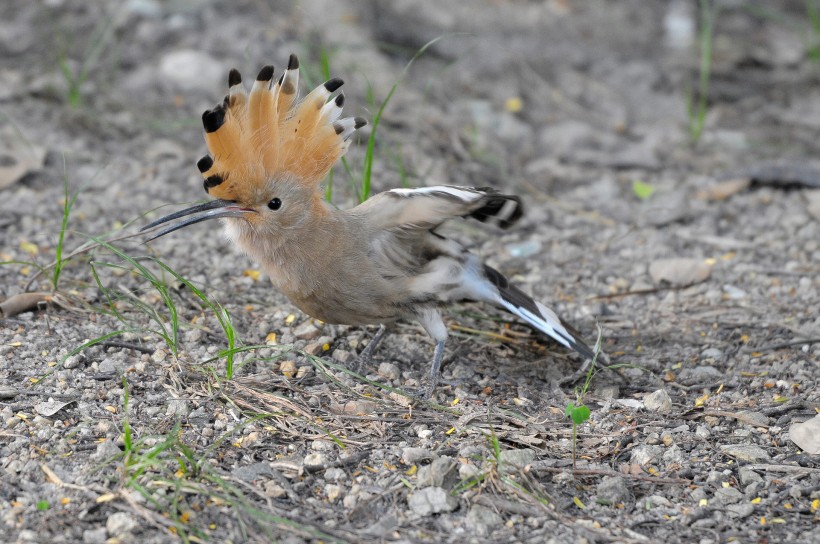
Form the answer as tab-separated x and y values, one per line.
699	260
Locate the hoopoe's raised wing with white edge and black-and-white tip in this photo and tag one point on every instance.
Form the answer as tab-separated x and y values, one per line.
428	207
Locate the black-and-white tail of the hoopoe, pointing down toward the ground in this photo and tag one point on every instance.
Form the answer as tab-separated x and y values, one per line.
536	314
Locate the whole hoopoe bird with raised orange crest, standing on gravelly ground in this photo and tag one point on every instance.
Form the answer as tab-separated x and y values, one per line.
376	263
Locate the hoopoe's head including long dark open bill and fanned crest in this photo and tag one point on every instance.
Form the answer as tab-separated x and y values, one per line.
269	152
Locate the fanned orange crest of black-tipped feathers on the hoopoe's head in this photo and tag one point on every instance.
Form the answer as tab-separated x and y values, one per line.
268	133
